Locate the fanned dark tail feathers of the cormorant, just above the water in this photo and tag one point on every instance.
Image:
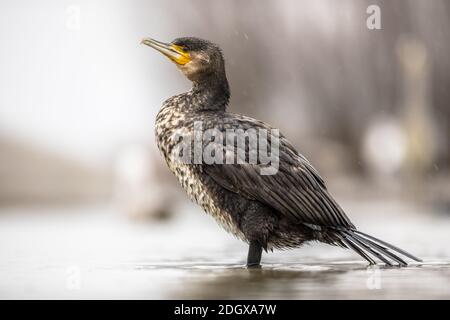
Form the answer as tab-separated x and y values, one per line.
366	245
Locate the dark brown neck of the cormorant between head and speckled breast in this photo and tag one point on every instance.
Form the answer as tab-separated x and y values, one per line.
211	93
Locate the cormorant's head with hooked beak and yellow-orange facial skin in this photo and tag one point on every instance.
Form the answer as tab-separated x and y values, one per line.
198	59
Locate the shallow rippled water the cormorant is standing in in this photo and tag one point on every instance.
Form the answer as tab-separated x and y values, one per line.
95	253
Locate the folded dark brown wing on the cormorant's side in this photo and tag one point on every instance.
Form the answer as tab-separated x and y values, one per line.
296	191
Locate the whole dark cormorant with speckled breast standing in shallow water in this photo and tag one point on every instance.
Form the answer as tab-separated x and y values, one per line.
279	211
